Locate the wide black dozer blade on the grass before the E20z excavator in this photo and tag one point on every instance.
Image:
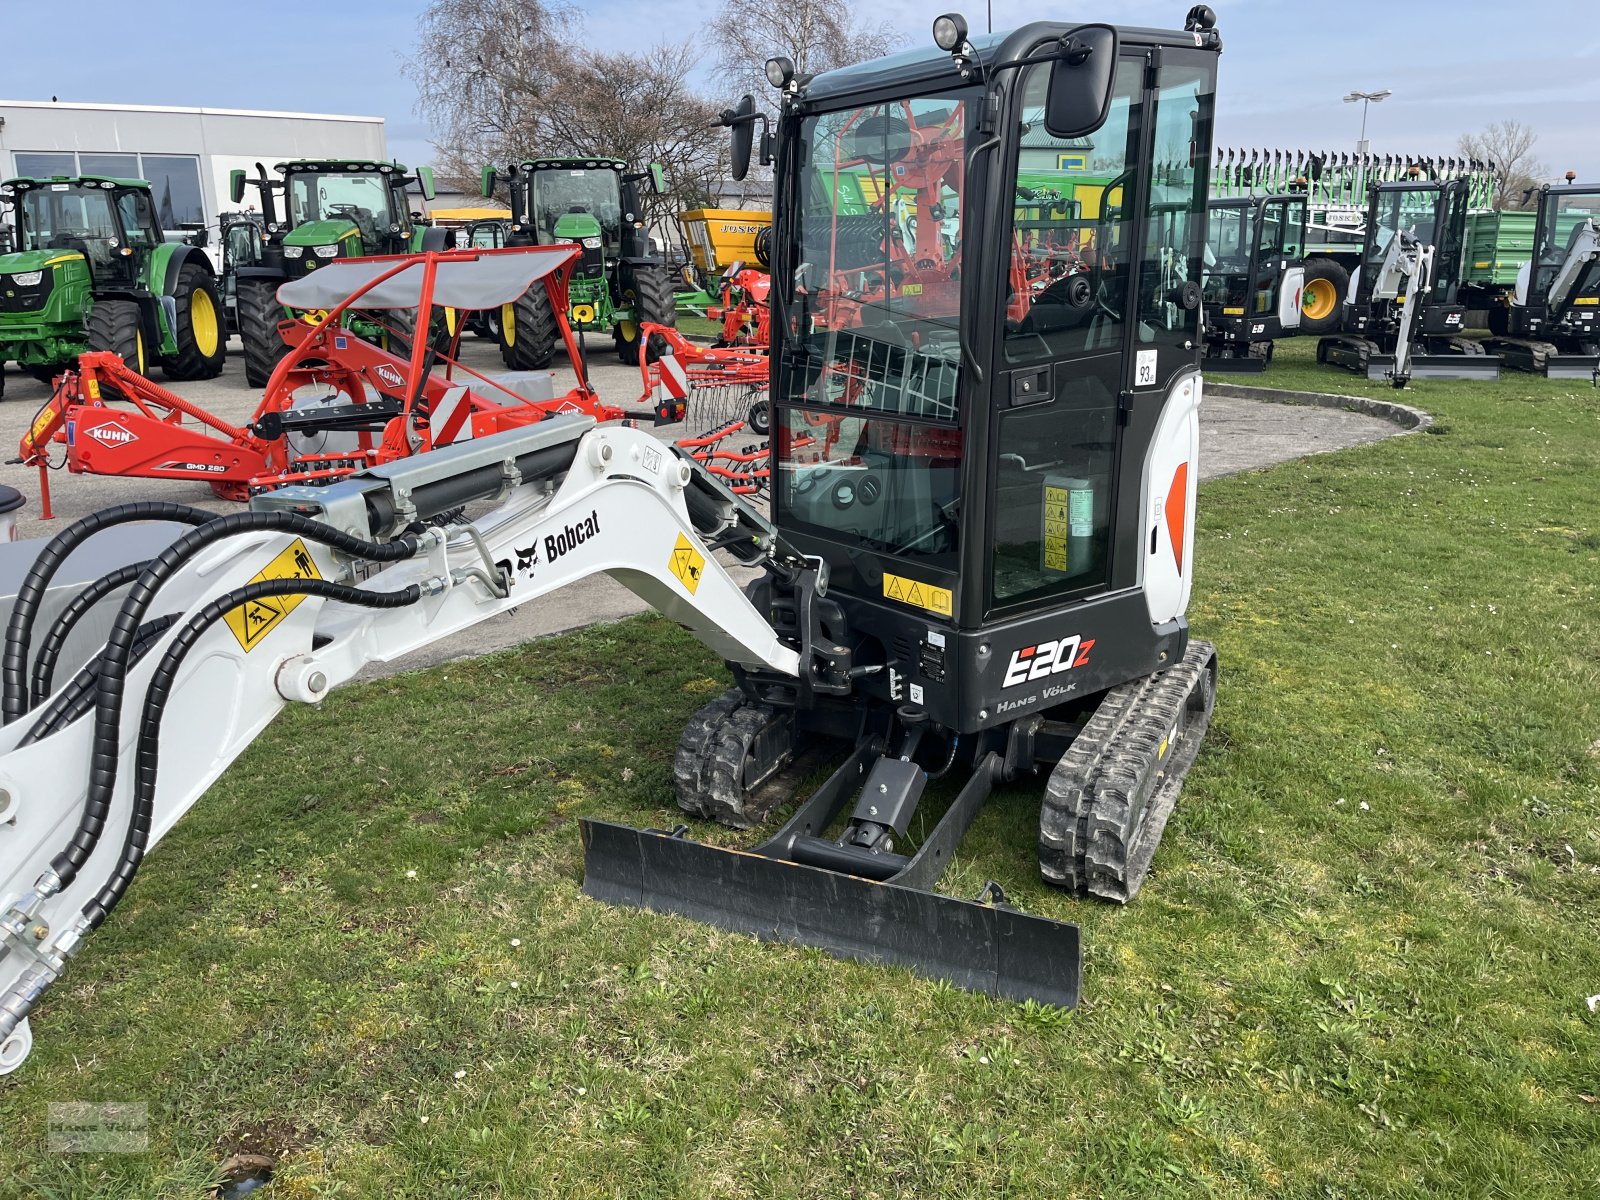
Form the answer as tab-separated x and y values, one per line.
978	948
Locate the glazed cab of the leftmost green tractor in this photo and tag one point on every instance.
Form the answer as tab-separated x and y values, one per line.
108	223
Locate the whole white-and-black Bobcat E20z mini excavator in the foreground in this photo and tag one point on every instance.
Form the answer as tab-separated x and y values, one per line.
977	567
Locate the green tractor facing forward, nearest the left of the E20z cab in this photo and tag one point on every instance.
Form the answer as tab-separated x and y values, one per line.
617	286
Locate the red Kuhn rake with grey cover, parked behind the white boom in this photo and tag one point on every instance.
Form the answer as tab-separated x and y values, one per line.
335	404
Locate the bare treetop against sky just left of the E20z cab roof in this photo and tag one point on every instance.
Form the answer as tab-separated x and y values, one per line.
815	34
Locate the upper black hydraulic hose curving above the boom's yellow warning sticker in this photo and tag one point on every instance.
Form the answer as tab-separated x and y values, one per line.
114	658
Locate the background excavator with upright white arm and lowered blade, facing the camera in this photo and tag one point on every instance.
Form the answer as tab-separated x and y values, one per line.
1406	318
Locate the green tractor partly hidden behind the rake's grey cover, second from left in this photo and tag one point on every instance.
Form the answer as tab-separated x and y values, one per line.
314	214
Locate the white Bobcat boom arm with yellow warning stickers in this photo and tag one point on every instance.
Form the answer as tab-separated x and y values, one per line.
620	508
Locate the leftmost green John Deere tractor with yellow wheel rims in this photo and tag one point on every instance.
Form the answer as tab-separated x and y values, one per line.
87	268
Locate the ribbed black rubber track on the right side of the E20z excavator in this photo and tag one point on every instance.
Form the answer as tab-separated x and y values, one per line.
1106	804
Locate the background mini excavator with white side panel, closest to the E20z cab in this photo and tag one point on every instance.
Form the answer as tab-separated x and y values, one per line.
1254	278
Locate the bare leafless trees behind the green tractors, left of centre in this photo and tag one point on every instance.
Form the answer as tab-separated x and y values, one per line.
503	81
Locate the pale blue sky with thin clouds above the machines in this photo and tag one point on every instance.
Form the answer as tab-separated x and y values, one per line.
1454	68
